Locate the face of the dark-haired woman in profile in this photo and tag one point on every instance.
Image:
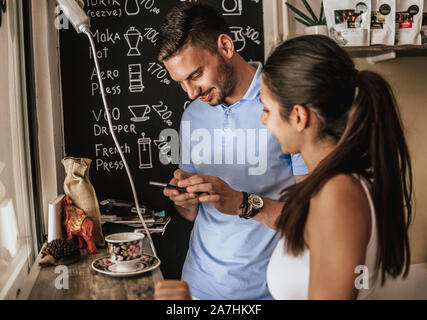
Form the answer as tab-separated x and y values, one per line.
287	135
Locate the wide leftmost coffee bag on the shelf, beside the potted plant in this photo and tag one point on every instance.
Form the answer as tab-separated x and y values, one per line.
349	21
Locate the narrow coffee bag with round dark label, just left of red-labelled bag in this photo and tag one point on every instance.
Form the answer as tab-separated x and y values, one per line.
383	17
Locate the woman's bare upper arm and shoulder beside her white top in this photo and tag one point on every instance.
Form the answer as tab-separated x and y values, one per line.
337	233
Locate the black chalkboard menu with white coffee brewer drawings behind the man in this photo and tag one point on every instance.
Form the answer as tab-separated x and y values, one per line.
143	100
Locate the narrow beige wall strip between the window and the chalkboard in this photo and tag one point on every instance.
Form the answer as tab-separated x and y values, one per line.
49	117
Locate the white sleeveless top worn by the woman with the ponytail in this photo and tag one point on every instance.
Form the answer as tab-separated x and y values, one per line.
288	276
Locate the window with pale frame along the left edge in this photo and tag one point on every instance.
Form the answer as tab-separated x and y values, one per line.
17	227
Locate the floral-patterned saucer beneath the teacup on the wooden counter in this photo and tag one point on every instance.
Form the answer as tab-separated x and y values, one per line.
106	266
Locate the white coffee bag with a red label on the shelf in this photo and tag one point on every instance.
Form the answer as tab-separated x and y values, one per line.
409	16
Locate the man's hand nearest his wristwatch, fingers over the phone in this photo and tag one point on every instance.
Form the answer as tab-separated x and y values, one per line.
214	190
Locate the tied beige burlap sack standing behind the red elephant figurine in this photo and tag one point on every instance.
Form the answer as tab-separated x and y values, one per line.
78	187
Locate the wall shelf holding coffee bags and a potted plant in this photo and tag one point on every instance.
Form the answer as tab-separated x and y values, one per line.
376	30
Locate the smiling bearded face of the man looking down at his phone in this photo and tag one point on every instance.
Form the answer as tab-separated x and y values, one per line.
202	74
